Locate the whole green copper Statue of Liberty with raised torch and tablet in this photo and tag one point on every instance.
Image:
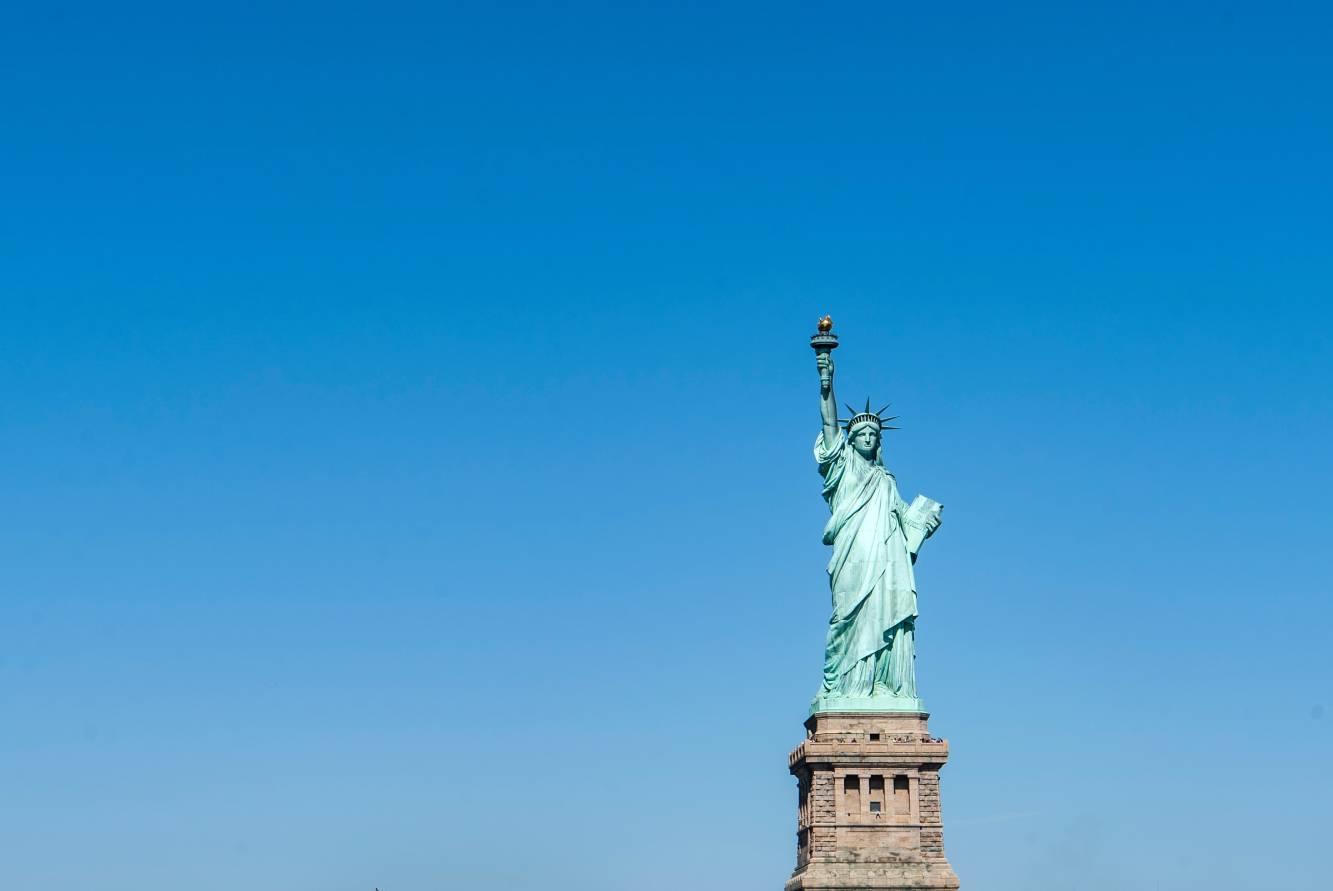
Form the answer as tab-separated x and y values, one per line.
871	650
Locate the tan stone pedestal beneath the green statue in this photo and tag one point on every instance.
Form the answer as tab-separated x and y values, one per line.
870	805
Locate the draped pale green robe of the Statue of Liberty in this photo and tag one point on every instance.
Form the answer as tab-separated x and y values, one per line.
875	537
